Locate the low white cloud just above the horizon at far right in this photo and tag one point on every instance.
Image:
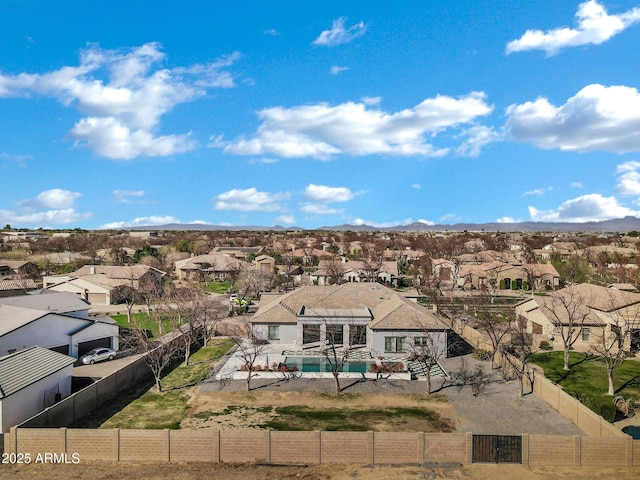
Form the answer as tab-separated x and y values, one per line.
587	208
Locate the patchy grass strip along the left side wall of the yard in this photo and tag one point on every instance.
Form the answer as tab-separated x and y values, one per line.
153	410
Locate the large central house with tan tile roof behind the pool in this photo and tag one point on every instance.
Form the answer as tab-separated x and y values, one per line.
357	314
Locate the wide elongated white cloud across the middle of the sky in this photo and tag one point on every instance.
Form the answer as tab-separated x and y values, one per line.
322	130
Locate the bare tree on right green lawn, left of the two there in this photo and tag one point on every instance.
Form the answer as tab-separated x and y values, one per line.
567	310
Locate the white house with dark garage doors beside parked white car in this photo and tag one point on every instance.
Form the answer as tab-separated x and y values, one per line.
22	327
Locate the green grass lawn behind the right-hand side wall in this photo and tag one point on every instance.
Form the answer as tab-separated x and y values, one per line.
587	379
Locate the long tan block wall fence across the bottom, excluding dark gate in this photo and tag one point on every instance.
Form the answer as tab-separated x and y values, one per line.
299	448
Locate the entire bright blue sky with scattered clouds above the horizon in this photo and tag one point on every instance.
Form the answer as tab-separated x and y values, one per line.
315	114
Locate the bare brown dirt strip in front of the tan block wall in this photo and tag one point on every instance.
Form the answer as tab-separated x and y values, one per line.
193	471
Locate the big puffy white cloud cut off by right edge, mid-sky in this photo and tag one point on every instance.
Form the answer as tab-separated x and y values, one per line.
597	118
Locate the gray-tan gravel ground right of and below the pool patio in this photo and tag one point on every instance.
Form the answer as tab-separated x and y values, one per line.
497	410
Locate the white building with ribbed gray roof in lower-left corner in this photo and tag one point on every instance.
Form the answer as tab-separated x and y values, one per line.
30	381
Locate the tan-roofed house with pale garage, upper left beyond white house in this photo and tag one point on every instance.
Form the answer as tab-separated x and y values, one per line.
106	285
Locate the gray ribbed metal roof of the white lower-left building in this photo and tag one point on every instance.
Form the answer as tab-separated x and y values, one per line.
26	367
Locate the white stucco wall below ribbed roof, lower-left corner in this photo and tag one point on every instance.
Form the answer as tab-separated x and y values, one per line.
29	401
